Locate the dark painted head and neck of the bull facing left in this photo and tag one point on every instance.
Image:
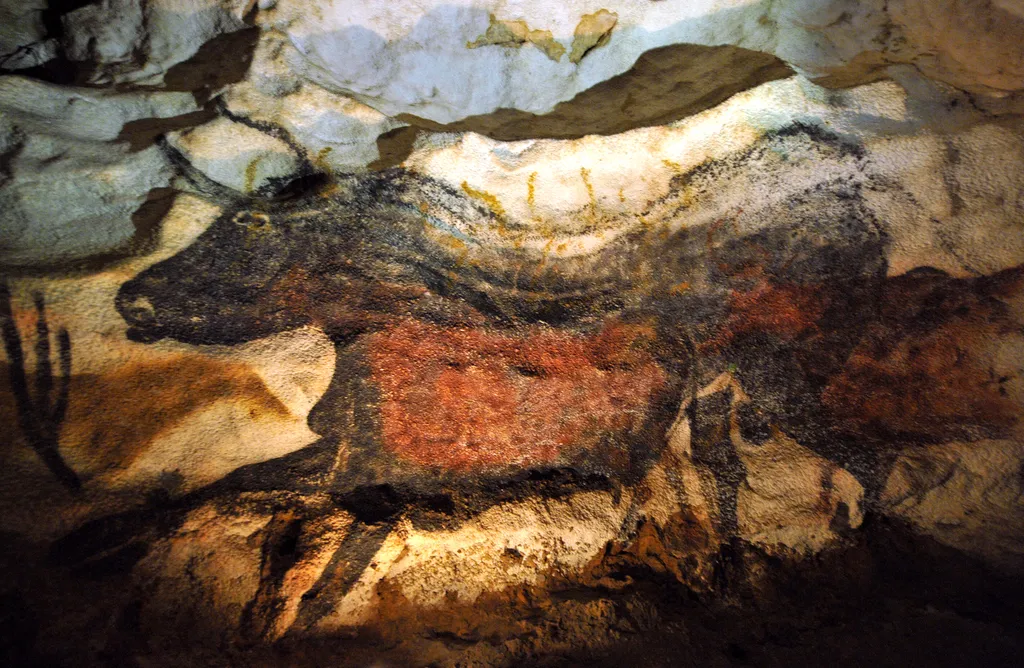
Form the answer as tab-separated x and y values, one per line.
344	262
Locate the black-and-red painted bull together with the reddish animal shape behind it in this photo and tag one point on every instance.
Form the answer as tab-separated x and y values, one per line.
472	369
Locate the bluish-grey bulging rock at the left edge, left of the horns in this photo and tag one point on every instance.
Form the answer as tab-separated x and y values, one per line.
73	183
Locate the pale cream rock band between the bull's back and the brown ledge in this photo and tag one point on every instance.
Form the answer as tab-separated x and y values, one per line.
921	173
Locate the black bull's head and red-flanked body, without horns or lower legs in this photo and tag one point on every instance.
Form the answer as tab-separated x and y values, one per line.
467	359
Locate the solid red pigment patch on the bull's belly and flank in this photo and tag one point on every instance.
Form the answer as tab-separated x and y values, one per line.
466	399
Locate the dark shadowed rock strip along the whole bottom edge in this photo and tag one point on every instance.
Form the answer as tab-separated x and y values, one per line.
888	598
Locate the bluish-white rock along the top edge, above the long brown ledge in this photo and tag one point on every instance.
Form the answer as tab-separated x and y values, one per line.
429	59
